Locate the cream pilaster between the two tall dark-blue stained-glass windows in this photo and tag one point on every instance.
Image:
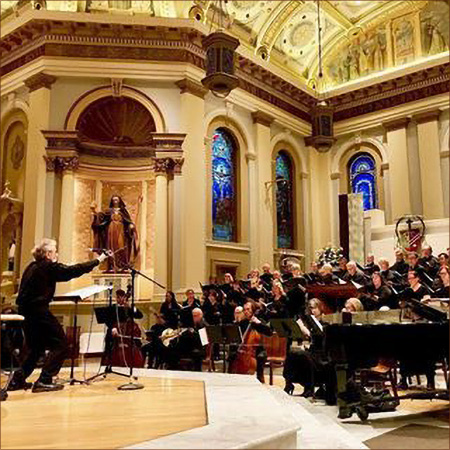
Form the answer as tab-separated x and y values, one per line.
266	188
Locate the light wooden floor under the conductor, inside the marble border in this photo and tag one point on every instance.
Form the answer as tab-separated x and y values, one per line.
100	416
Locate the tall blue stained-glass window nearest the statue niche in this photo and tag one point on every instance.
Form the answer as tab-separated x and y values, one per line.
224	201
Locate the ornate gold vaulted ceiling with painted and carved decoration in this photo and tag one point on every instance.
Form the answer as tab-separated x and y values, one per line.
361	39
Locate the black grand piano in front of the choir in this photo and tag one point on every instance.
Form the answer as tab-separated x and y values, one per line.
360	346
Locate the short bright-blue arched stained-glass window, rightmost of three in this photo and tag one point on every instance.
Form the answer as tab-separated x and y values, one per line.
362	175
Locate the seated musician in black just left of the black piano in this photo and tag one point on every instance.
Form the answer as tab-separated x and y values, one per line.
310	367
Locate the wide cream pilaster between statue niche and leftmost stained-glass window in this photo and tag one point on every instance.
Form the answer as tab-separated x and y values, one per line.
190	192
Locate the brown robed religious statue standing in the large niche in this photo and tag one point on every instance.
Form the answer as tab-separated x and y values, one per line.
114	230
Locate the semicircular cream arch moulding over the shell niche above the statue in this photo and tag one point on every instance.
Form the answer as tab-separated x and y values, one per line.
96	95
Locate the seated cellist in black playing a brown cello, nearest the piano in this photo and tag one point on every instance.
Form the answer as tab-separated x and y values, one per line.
251	328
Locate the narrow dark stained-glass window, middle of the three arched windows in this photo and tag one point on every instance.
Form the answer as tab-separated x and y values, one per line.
285	200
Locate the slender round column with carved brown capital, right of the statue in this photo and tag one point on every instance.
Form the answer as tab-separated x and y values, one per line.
162	168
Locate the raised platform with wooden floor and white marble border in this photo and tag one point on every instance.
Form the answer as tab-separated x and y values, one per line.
174	410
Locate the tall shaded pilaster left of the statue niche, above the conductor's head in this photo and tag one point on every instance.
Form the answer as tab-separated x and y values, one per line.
35	170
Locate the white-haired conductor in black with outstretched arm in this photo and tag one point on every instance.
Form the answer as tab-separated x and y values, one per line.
42	329
